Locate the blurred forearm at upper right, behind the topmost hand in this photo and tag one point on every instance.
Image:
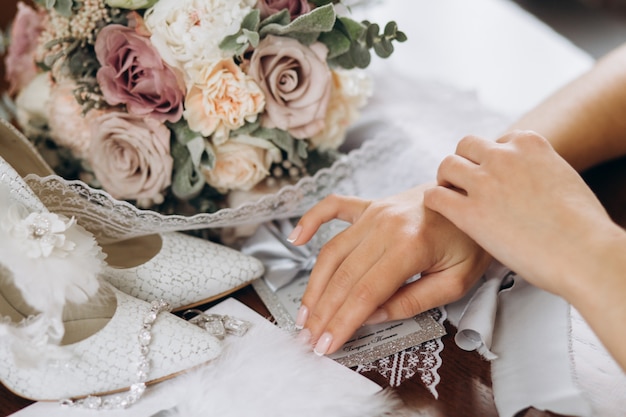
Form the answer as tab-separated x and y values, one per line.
585	121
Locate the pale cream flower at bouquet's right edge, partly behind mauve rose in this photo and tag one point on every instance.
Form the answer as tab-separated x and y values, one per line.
349	93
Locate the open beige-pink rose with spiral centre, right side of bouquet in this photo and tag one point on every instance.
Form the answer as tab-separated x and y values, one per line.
296	81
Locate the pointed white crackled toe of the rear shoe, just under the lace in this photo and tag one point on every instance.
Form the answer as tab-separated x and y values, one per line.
186	271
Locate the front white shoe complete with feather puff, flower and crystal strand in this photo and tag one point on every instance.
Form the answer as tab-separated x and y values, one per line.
63	333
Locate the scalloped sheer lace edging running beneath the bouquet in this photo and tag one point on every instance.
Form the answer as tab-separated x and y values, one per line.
112	220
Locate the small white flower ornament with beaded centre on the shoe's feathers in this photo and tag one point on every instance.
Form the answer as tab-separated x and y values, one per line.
43	235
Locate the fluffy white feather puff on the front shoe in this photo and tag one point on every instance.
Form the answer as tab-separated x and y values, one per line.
46	282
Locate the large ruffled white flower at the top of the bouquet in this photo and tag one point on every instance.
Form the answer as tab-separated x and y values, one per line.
189	31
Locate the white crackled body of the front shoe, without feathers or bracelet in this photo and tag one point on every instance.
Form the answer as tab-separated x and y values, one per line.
110	360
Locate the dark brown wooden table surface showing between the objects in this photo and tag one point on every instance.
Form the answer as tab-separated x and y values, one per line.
465	387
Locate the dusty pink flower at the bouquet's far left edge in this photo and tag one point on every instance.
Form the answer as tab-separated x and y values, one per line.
20	59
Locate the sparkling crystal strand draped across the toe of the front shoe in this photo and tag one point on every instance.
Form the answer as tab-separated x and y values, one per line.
136	390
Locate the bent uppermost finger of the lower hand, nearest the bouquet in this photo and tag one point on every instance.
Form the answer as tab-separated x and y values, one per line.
331	207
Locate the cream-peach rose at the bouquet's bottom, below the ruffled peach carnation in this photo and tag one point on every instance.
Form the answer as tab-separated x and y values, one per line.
241	163
